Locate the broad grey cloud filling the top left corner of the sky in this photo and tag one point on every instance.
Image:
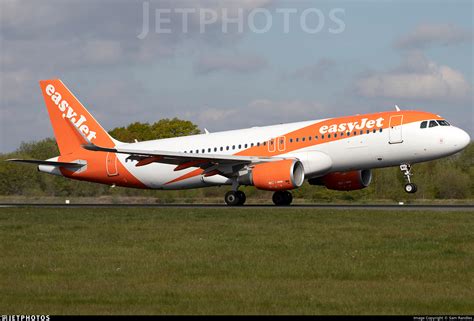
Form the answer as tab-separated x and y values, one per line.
78	34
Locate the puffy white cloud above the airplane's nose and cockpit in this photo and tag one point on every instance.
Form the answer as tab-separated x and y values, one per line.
417	78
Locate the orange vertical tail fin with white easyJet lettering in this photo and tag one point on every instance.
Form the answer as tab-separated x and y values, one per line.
66	111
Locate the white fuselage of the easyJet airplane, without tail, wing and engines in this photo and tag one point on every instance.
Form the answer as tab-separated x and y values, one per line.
379	147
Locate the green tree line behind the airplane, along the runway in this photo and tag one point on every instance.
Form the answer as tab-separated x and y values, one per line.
448	178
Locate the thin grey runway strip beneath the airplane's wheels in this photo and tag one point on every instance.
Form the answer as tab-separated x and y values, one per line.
409	207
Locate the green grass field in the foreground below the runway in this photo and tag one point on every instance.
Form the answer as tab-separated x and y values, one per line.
235	261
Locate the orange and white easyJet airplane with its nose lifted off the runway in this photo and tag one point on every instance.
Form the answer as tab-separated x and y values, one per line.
338	153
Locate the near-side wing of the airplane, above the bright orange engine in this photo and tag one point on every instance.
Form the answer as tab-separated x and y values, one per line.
212	164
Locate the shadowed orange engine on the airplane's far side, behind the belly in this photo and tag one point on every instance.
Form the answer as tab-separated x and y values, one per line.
344	181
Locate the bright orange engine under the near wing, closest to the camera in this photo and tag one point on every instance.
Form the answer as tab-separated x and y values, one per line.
275	176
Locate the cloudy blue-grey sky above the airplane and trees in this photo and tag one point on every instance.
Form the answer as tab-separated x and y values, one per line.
235	64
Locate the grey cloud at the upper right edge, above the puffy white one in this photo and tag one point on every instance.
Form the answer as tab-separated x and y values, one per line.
434	34
